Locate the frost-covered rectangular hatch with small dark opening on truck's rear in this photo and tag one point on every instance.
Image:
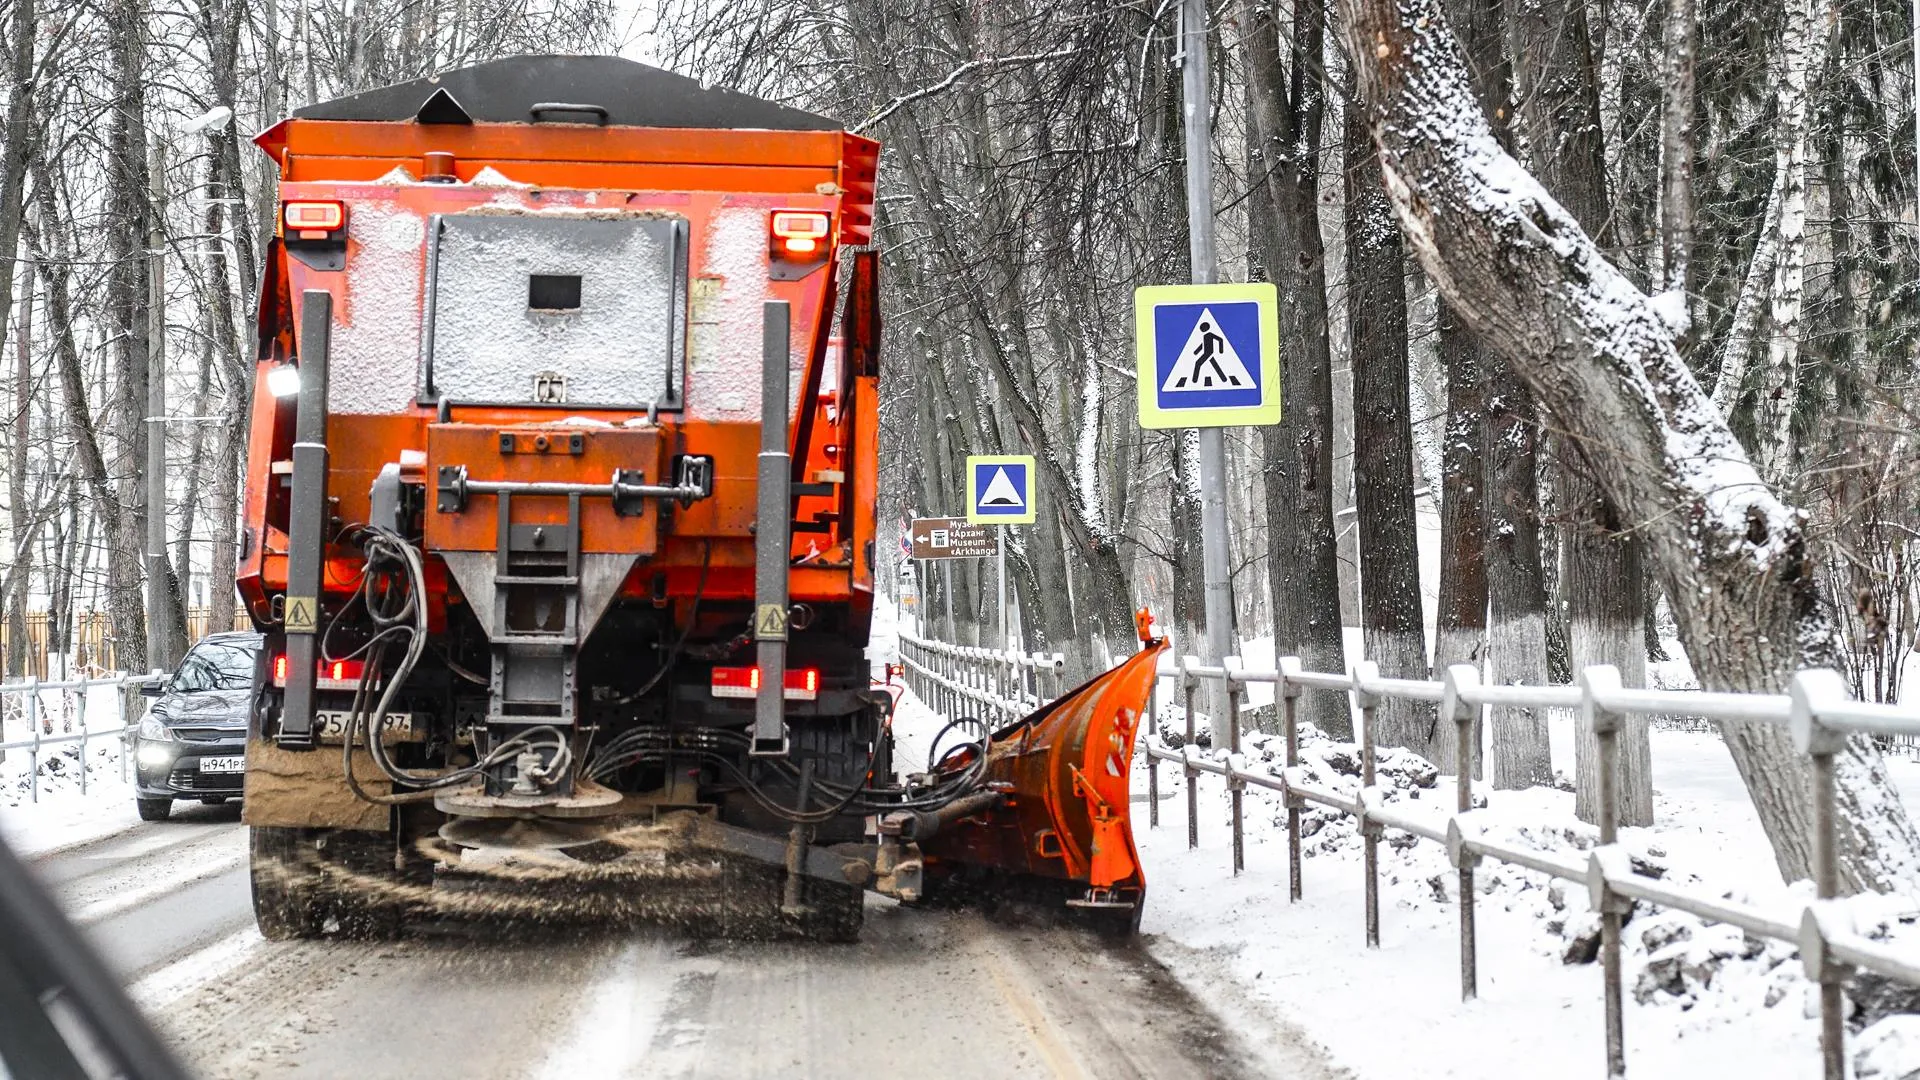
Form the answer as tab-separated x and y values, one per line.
533	308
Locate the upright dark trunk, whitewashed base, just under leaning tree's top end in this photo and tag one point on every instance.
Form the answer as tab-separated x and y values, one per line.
1383	445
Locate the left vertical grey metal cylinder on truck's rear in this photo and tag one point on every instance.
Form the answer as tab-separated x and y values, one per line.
306	556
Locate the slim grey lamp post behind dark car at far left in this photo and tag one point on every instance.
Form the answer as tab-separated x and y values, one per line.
158	645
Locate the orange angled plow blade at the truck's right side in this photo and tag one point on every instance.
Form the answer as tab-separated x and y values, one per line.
1063	825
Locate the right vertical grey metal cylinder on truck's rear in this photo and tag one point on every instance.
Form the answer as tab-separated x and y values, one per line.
773	539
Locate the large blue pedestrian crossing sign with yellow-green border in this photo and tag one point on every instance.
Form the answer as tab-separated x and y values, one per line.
1209	355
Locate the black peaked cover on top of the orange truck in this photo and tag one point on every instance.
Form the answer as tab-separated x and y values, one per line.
506	91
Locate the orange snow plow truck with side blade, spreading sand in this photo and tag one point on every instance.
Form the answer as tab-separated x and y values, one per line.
560	524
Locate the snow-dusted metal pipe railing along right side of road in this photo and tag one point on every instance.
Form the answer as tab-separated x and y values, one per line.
1819	714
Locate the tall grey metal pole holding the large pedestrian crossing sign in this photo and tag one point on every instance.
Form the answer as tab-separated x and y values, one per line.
1195	84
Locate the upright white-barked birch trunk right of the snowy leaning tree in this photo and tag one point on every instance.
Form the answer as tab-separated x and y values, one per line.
1802	53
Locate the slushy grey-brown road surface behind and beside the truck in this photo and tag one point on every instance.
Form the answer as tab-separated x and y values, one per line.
923	994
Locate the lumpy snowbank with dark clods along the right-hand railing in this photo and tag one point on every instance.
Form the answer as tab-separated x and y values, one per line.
1702	998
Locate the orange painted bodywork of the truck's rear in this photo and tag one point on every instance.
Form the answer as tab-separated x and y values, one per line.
692	174
